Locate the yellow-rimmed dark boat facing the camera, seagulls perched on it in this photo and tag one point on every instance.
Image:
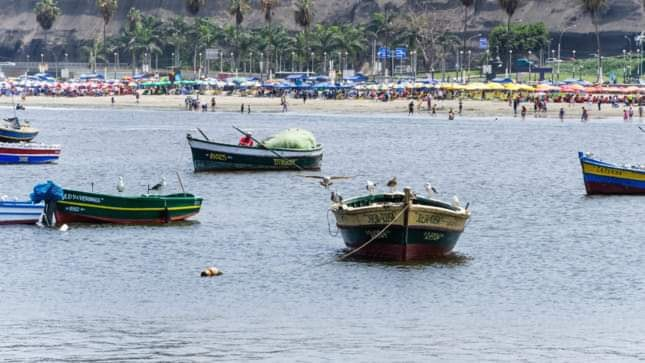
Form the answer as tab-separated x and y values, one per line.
399	226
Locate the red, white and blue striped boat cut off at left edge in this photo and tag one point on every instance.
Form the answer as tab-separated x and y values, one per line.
28	153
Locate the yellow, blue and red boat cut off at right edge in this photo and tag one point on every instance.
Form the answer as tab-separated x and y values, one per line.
605	178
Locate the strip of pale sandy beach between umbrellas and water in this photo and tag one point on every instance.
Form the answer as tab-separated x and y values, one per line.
471	108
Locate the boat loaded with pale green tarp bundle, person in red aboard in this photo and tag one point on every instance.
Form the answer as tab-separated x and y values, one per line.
292	149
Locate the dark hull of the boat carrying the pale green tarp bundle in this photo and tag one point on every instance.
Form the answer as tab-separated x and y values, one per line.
210	156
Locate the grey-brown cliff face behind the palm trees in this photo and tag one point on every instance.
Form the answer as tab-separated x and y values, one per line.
80	22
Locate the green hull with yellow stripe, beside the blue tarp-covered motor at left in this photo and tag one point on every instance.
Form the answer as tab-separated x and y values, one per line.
81	207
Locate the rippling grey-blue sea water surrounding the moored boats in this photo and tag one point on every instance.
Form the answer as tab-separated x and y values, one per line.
542	272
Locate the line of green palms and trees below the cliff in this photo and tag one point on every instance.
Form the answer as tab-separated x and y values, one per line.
179	41
